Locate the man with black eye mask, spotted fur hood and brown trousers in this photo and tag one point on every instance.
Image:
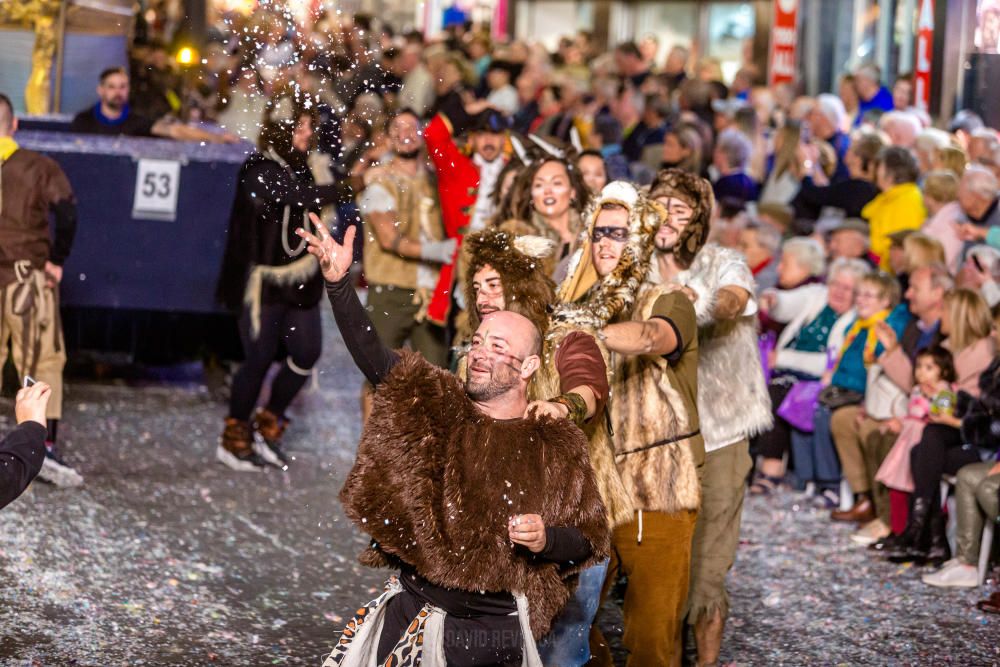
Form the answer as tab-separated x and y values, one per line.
652	335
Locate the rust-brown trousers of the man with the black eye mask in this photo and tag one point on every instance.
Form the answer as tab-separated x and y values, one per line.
658	570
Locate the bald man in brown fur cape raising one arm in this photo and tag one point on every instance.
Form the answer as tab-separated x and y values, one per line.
488	515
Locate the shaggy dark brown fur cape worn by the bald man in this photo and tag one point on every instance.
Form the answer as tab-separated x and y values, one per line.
436	481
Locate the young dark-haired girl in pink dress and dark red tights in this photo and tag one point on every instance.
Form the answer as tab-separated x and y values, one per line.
933	375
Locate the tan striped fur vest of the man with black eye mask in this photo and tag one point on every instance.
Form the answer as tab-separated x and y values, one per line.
646	409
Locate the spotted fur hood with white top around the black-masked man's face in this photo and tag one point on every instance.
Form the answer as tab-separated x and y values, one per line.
590	301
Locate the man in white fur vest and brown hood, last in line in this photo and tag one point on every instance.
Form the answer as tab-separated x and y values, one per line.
733	402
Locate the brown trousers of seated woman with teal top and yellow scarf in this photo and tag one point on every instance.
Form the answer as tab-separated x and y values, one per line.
862	448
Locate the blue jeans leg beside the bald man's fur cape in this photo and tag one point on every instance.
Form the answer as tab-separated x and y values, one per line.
568	643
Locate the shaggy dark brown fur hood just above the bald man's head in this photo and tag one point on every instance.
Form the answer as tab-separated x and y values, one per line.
519	260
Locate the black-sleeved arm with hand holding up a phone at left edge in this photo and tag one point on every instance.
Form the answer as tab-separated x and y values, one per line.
22	451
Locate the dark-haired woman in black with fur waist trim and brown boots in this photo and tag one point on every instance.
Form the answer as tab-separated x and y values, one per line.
273	282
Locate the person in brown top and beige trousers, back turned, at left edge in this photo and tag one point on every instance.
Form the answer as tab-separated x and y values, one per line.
33	188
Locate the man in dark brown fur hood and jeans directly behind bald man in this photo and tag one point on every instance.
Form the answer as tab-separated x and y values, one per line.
505	272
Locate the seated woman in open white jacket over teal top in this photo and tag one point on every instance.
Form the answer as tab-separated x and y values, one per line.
817	318
